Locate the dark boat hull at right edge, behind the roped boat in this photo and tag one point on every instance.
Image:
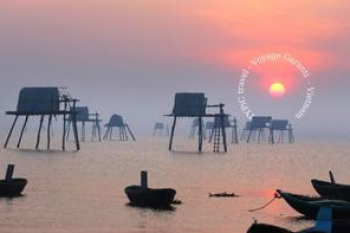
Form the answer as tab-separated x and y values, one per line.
331	190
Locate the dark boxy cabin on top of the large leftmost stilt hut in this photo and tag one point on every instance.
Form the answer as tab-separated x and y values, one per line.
39	100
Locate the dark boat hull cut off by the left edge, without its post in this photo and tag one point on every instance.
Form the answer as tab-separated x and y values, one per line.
12	187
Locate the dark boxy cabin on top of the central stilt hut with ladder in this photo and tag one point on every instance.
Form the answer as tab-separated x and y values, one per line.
189	104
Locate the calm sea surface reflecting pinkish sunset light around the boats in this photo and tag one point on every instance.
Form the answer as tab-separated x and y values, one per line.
84	191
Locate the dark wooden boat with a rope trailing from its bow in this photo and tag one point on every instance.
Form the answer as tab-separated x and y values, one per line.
309	206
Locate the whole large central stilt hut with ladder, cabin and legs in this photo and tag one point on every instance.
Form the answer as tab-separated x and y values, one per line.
195	105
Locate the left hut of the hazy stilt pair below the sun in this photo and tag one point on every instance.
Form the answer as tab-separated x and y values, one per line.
260	125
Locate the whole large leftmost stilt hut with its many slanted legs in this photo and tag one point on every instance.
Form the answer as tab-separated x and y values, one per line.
44	101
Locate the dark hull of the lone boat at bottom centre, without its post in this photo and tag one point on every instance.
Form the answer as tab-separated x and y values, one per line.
150	197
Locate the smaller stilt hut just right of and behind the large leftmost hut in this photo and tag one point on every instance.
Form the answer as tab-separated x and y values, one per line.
84	116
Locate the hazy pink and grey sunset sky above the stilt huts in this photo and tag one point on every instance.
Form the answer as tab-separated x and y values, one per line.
131	57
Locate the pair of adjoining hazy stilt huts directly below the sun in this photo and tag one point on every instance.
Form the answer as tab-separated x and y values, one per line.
265	129
